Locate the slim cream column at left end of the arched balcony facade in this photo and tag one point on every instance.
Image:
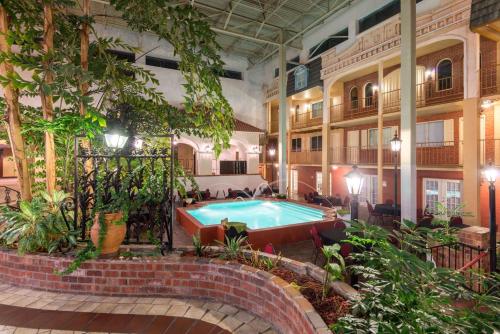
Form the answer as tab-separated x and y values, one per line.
325	161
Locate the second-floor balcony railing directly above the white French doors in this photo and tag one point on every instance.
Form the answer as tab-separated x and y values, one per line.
428	154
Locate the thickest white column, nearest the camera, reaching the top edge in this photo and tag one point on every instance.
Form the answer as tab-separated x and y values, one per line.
408	111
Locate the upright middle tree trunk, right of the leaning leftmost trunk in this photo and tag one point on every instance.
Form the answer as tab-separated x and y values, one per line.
47	102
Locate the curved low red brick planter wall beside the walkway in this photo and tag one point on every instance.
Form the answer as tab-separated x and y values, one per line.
248	288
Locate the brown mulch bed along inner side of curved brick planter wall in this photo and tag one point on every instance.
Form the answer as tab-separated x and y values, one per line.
331	308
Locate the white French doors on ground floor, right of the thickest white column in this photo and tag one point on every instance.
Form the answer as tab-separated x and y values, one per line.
446	192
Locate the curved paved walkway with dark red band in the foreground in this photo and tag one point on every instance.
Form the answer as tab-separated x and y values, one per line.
32	311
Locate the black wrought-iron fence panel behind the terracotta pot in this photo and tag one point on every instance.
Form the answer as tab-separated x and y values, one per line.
145	175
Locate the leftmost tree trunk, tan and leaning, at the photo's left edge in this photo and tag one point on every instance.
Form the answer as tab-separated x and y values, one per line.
11	94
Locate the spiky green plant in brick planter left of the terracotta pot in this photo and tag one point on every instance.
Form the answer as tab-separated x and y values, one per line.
38	225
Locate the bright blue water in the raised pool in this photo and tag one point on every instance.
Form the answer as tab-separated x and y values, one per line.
256	213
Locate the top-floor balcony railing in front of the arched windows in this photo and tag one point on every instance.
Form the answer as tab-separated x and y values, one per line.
430	92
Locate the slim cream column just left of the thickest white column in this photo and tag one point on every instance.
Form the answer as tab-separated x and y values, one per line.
380	132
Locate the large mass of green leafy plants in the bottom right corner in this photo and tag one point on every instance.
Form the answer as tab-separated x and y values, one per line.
401	293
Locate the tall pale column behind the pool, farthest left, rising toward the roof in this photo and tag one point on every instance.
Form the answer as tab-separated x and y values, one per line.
283	122
